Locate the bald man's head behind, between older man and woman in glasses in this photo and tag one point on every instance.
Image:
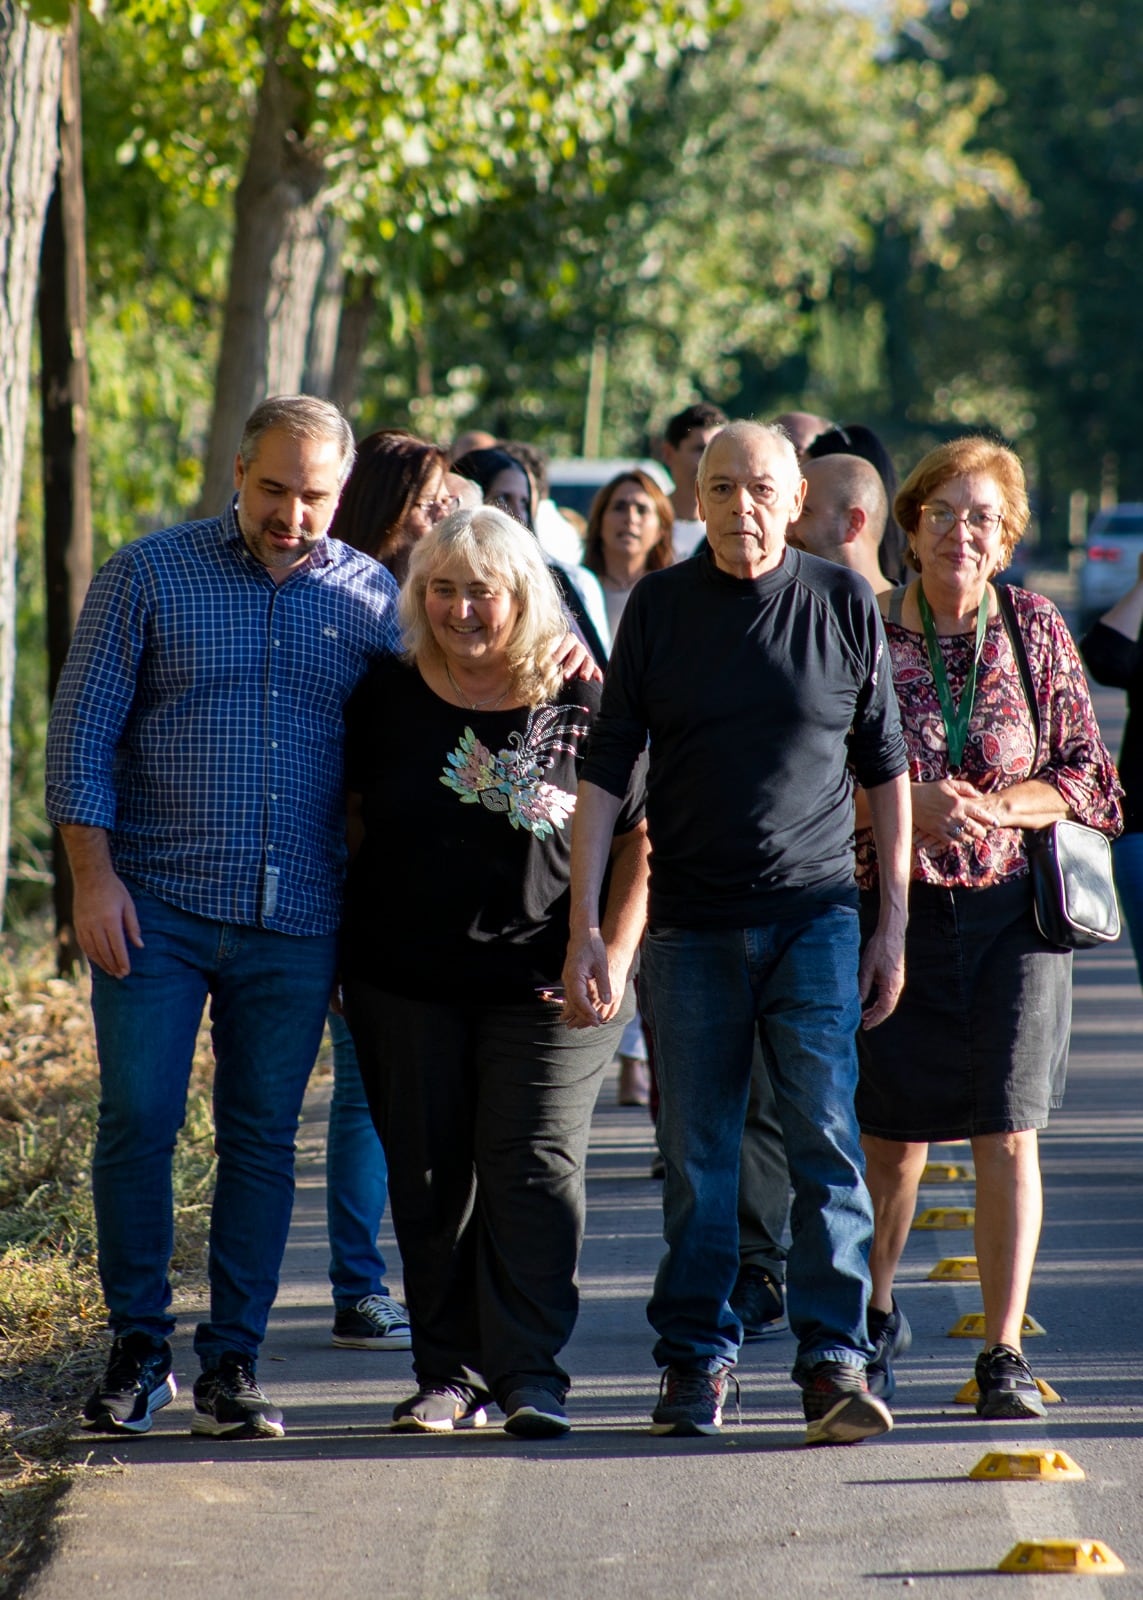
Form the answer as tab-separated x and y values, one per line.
844	516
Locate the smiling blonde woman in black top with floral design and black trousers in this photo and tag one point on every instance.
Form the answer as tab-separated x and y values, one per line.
462	767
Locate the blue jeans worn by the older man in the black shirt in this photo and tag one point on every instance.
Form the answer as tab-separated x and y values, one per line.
710	993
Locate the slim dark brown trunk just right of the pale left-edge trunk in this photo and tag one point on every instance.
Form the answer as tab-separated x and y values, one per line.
65	412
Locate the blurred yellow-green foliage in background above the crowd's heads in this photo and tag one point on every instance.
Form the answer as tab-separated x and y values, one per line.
721	239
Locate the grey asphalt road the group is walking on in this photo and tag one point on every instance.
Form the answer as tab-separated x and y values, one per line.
342	1508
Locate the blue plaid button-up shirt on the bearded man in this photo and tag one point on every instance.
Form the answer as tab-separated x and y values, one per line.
199	721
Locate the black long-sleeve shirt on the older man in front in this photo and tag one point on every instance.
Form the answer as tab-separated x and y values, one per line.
756	695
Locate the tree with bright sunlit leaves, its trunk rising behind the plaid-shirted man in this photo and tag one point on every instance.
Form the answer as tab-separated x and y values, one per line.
379	111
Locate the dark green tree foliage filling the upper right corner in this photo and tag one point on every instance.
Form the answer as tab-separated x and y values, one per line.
1051	297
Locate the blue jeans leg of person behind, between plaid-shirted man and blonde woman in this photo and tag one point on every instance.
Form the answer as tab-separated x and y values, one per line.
356	1180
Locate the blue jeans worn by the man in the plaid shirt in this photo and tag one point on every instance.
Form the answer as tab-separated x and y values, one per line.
268	1002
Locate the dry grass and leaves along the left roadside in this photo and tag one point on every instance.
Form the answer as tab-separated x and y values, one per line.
52	1313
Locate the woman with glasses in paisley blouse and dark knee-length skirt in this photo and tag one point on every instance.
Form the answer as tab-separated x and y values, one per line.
979	1044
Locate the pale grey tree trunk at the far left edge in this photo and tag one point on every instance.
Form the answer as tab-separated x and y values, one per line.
30	97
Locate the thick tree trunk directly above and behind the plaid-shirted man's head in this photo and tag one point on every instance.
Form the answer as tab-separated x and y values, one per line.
275	270
